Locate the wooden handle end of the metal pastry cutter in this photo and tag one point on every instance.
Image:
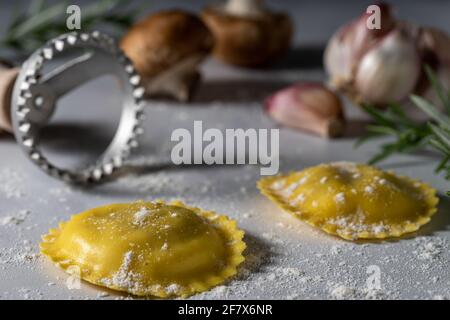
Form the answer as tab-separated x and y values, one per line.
8	75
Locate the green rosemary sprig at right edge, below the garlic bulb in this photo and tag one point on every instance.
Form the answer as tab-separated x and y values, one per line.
410	135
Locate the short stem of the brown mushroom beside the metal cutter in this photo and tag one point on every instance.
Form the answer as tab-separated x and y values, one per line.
178	82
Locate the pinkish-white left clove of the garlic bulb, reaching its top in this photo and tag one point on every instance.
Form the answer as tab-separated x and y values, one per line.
350	43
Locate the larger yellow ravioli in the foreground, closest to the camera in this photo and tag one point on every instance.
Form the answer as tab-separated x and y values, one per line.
148	248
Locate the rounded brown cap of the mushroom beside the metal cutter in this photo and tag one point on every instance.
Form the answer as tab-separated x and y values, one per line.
164	39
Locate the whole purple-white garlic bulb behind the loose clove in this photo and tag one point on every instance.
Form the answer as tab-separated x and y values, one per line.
385	65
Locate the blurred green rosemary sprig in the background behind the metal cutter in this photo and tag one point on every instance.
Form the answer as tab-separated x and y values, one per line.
30	28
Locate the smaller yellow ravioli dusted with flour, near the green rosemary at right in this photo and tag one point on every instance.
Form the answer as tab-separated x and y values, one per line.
353	201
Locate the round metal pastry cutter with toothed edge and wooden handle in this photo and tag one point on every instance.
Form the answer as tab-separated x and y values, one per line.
35	93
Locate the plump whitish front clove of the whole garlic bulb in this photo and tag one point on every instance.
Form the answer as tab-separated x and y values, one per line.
390	71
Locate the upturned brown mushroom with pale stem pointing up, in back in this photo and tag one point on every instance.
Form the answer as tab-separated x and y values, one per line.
247	33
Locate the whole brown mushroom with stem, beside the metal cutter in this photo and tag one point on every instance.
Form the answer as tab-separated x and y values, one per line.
167	48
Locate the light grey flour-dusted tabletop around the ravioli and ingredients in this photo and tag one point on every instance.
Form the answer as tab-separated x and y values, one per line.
285	258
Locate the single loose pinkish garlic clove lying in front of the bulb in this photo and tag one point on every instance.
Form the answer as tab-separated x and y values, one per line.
308	106
